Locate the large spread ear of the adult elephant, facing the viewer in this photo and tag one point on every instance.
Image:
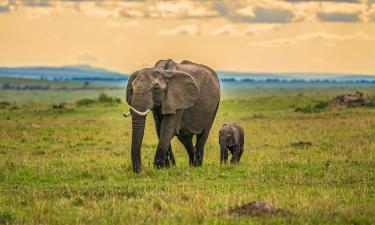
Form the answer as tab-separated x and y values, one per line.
182	91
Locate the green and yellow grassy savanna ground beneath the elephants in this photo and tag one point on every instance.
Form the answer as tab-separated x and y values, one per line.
70	164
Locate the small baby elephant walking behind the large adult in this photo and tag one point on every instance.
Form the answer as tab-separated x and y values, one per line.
231	137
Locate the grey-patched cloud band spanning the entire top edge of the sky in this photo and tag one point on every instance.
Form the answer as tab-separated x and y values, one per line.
241	11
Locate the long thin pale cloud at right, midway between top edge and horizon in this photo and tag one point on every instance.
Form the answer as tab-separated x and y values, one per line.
328	38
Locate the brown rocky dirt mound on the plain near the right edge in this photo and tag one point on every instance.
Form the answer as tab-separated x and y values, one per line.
352	100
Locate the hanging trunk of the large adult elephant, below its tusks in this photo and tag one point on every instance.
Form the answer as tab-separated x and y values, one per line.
138	126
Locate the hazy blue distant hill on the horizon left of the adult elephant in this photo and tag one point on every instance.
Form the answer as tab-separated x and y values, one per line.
70	72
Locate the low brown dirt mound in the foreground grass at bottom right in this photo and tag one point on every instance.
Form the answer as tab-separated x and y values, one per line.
258	208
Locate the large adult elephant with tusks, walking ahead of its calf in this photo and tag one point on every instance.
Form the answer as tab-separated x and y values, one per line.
183	98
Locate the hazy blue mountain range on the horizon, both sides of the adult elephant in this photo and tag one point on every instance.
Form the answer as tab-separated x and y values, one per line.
89	73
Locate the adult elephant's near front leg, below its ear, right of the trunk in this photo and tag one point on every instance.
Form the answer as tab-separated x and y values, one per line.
167	128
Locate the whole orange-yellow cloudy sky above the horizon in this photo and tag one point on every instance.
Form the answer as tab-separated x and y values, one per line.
326	36
